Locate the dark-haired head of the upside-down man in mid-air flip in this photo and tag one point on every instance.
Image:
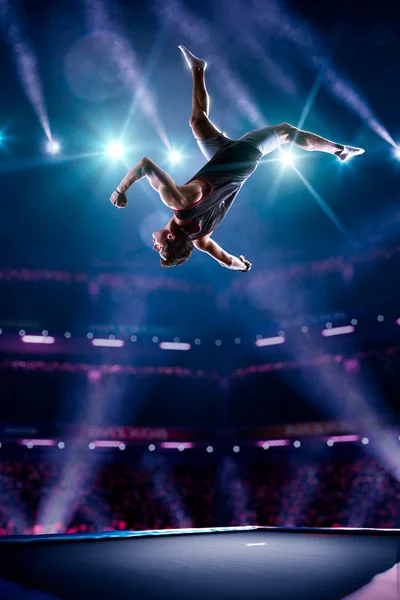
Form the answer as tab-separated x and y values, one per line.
174	247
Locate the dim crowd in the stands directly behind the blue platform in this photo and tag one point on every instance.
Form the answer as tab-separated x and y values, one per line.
39	495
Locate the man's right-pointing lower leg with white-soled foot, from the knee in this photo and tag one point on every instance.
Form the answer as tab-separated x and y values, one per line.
314	143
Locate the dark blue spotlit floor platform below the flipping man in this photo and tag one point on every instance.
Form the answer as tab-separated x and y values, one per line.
223	563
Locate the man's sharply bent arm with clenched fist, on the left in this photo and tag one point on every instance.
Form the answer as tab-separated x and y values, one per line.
158	179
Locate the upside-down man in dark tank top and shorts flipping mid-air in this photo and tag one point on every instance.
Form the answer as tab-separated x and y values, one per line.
200	205
